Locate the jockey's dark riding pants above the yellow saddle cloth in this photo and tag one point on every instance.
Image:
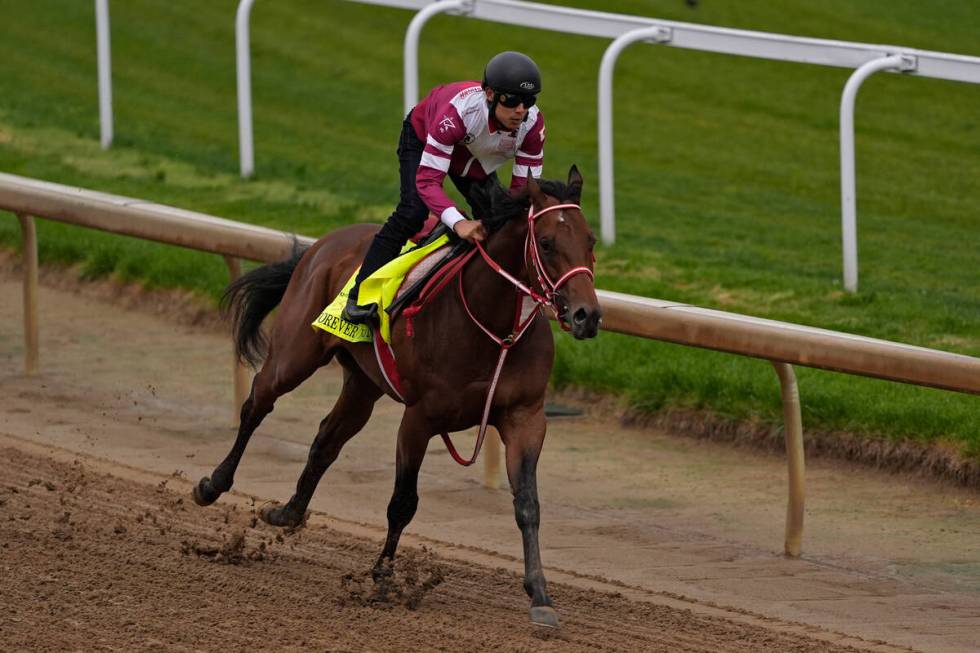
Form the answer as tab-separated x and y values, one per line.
411	212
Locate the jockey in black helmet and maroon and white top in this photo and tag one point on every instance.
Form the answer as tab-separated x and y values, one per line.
466	130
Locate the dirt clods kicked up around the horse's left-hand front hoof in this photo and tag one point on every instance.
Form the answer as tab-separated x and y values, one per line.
404	581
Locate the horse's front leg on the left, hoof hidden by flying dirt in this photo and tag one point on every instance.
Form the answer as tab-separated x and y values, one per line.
413	438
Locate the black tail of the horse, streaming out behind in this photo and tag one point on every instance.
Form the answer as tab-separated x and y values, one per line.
251	297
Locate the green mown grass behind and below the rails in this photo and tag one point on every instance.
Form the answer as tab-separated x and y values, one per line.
726	170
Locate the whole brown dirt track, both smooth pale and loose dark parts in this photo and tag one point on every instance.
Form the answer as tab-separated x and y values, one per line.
889	562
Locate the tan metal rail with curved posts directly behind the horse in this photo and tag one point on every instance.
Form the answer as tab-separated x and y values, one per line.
781	343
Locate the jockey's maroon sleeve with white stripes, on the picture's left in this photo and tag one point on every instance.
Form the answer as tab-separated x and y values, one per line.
444	130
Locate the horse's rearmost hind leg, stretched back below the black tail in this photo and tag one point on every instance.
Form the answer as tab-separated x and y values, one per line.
275	379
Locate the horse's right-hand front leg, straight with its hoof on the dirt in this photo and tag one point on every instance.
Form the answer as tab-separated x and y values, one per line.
522	432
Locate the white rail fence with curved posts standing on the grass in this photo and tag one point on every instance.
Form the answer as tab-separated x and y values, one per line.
625	30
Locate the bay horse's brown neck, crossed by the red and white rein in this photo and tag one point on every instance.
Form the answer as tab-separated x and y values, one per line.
490	296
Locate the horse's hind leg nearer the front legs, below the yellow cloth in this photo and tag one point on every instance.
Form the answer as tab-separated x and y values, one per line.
348	417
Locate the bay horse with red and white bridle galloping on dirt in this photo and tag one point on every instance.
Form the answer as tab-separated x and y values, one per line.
537	235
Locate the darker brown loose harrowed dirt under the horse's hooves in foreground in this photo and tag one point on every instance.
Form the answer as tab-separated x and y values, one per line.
97	562
